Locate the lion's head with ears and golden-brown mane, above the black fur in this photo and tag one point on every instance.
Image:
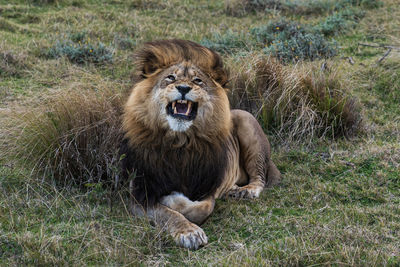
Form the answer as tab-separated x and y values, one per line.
184	98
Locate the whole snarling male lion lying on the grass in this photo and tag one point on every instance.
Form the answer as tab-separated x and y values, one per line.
183	145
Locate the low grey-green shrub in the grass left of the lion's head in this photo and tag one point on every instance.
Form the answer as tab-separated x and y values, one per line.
79	49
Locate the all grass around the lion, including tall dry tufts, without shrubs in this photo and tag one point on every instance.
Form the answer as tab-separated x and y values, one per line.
339	200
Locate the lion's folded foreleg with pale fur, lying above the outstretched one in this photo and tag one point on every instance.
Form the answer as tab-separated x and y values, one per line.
195	211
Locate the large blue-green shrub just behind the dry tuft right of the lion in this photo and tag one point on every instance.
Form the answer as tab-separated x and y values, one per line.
291	42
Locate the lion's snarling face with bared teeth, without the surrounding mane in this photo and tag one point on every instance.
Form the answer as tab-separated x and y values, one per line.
185	96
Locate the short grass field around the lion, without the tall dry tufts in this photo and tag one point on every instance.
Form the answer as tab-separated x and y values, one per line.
339	201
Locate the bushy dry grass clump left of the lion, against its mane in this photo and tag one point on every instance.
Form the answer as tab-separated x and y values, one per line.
72	136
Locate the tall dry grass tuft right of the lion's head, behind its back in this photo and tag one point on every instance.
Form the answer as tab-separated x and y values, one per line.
297	102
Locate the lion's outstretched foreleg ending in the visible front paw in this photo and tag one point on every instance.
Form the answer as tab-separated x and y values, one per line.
185	233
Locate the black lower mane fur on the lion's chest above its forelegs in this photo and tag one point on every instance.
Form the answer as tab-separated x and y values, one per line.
160	171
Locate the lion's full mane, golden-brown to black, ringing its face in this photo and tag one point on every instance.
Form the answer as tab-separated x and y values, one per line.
160	160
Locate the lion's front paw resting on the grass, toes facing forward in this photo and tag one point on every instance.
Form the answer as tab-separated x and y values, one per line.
191	237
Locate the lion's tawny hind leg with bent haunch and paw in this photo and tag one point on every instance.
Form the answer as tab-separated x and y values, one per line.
254	157
